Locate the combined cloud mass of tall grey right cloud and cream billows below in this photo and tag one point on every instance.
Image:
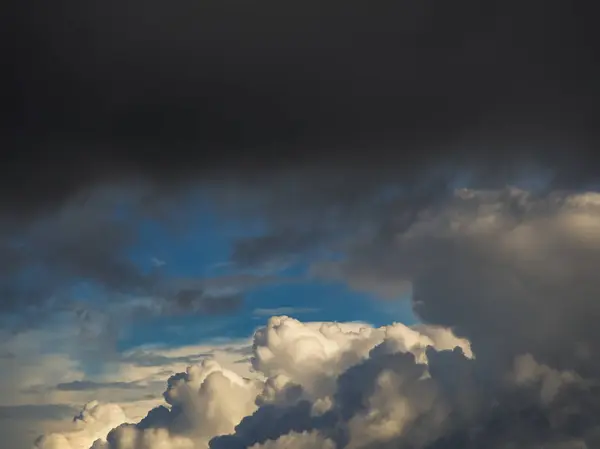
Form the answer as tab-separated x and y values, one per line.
505	282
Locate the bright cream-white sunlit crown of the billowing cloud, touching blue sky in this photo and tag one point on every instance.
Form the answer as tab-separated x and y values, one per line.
314	354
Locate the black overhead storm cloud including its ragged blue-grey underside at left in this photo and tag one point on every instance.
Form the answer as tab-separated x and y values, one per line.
313	108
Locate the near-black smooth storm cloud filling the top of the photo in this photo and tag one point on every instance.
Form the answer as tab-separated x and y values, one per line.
230	88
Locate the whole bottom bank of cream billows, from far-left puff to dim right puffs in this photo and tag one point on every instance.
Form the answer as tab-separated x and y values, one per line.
330	385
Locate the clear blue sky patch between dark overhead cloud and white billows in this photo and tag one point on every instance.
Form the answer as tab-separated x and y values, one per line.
204	253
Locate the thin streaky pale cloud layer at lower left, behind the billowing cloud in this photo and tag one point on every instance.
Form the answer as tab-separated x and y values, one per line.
46	377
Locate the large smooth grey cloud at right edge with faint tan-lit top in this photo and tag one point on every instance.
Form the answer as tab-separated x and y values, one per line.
509	270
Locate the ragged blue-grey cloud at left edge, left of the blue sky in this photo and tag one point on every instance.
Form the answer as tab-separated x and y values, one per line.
76	243
